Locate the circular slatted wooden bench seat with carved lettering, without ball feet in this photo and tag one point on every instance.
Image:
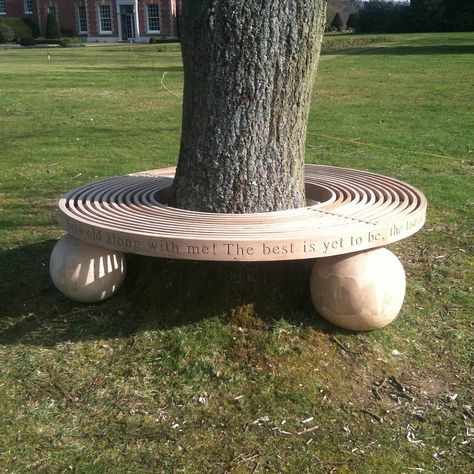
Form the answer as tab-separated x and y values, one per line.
348	210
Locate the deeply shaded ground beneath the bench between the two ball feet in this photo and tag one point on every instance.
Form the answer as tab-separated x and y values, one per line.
181	291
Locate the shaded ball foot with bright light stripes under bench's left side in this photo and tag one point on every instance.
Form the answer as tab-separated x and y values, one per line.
86	273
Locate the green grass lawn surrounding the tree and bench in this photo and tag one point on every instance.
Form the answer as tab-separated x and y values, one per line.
189	385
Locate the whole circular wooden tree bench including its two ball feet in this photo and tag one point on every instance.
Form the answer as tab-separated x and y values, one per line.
349	213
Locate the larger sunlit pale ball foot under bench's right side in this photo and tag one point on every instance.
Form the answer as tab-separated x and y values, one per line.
359	291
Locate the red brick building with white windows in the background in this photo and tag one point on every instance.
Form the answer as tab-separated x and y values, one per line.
101	20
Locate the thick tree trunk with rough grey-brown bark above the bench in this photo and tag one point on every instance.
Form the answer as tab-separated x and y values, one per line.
248	68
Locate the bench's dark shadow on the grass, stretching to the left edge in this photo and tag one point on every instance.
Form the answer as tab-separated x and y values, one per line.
159	294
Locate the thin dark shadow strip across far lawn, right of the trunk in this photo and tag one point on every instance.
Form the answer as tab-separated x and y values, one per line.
408	50
